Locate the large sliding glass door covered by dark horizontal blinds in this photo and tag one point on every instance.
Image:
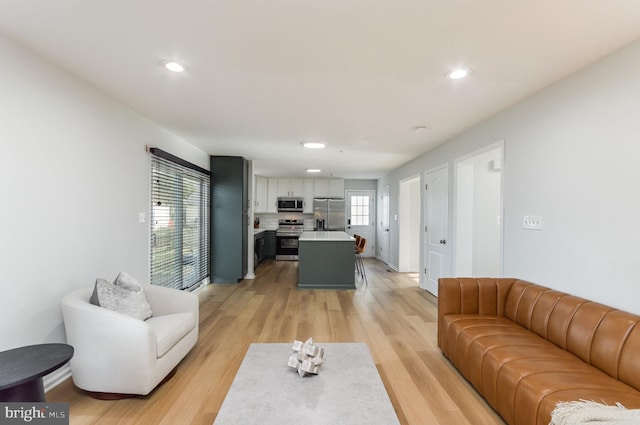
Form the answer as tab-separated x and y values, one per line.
180	194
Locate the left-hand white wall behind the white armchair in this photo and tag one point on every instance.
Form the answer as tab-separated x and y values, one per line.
74	175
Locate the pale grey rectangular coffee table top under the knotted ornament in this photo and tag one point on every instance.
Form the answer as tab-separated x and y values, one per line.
347	391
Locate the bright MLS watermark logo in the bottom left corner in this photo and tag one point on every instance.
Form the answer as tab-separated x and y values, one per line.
34	413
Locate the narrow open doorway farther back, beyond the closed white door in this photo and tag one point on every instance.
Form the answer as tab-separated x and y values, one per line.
409	225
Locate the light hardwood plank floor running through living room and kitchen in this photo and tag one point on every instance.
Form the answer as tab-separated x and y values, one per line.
392	315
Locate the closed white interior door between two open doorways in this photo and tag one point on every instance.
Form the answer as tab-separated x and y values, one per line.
437	218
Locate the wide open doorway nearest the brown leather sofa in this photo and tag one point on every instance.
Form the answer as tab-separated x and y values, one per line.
478	208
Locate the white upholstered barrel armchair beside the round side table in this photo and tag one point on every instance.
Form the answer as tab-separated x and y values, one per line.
119	354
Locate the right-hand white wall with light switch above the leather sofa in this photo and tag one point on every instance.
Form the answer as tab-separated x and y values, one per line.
571	156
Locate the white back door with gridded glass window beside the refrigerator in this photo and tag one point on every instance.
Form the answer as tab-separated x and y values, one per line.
361	218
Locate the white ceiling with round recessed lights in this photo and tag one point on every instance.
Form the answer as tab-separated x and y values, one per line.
358	75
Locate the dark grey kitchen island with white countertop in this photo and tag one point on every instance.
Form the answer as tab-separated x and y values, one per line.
326	260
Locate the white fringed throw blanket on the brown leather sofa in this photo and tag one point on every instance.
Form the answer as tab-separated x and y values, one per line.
591	412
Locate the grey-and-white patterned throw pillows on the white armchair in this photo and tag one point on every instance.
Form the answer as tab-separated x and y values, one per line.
125	295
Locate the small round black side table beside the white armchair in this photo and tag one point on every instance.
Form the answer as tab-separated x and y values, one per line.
22	370
